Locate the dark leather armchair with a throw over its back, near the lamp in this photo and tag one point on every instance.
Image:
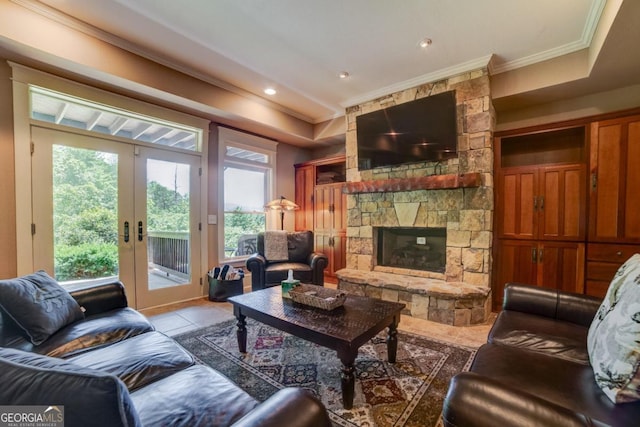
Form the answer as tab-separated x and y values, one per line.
308	266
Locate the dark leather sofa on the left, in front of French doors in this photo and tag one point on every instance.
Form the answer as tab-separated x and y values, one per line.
113	369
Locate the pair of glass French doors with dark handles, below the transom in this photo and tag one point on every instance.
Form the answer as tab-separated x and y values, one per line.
104	208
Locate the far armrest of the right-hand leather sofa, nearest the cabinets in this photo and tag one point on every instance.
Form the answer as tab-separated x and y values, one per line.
552	303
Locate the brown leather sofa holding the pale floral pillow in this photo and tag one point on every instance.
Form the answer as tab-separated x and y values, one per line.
534	369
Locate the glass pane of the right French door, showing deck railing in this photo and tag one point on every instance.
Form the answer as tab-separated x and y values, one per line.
168	224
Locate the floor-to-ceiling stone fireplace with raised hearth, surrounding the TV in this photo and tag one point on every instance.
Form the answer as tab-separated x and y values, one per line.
454	196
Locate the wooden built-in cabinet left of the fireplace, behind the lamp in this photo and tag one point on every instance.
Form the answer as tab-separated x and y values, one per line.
323	208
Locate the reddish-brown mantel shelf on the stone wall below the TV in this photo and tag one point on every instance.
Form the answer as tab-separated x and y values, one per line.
432	182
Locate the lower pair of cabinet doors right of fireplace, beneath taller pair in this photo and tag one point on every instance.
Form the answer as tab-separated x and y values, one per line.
544	263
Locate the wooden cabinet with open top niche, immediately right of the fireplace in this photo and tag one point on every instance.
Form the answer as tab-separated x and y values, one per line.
541	206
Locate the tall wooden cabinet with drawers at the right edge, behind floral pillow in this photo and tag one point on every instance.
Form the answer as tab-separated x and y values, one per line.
614	218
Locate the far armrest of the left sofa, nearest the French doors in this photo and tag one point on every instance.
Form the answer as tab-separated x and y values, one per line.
99	297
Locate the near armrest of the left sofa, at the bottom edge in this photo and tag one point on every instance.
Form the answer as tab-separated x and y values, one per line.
291	407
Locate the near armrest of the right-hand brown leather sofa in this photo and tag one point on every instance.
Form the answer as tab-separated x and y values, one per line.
477	401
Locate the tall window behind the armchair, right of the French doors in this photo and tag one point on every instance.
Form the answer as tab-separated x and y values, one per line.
247	163
